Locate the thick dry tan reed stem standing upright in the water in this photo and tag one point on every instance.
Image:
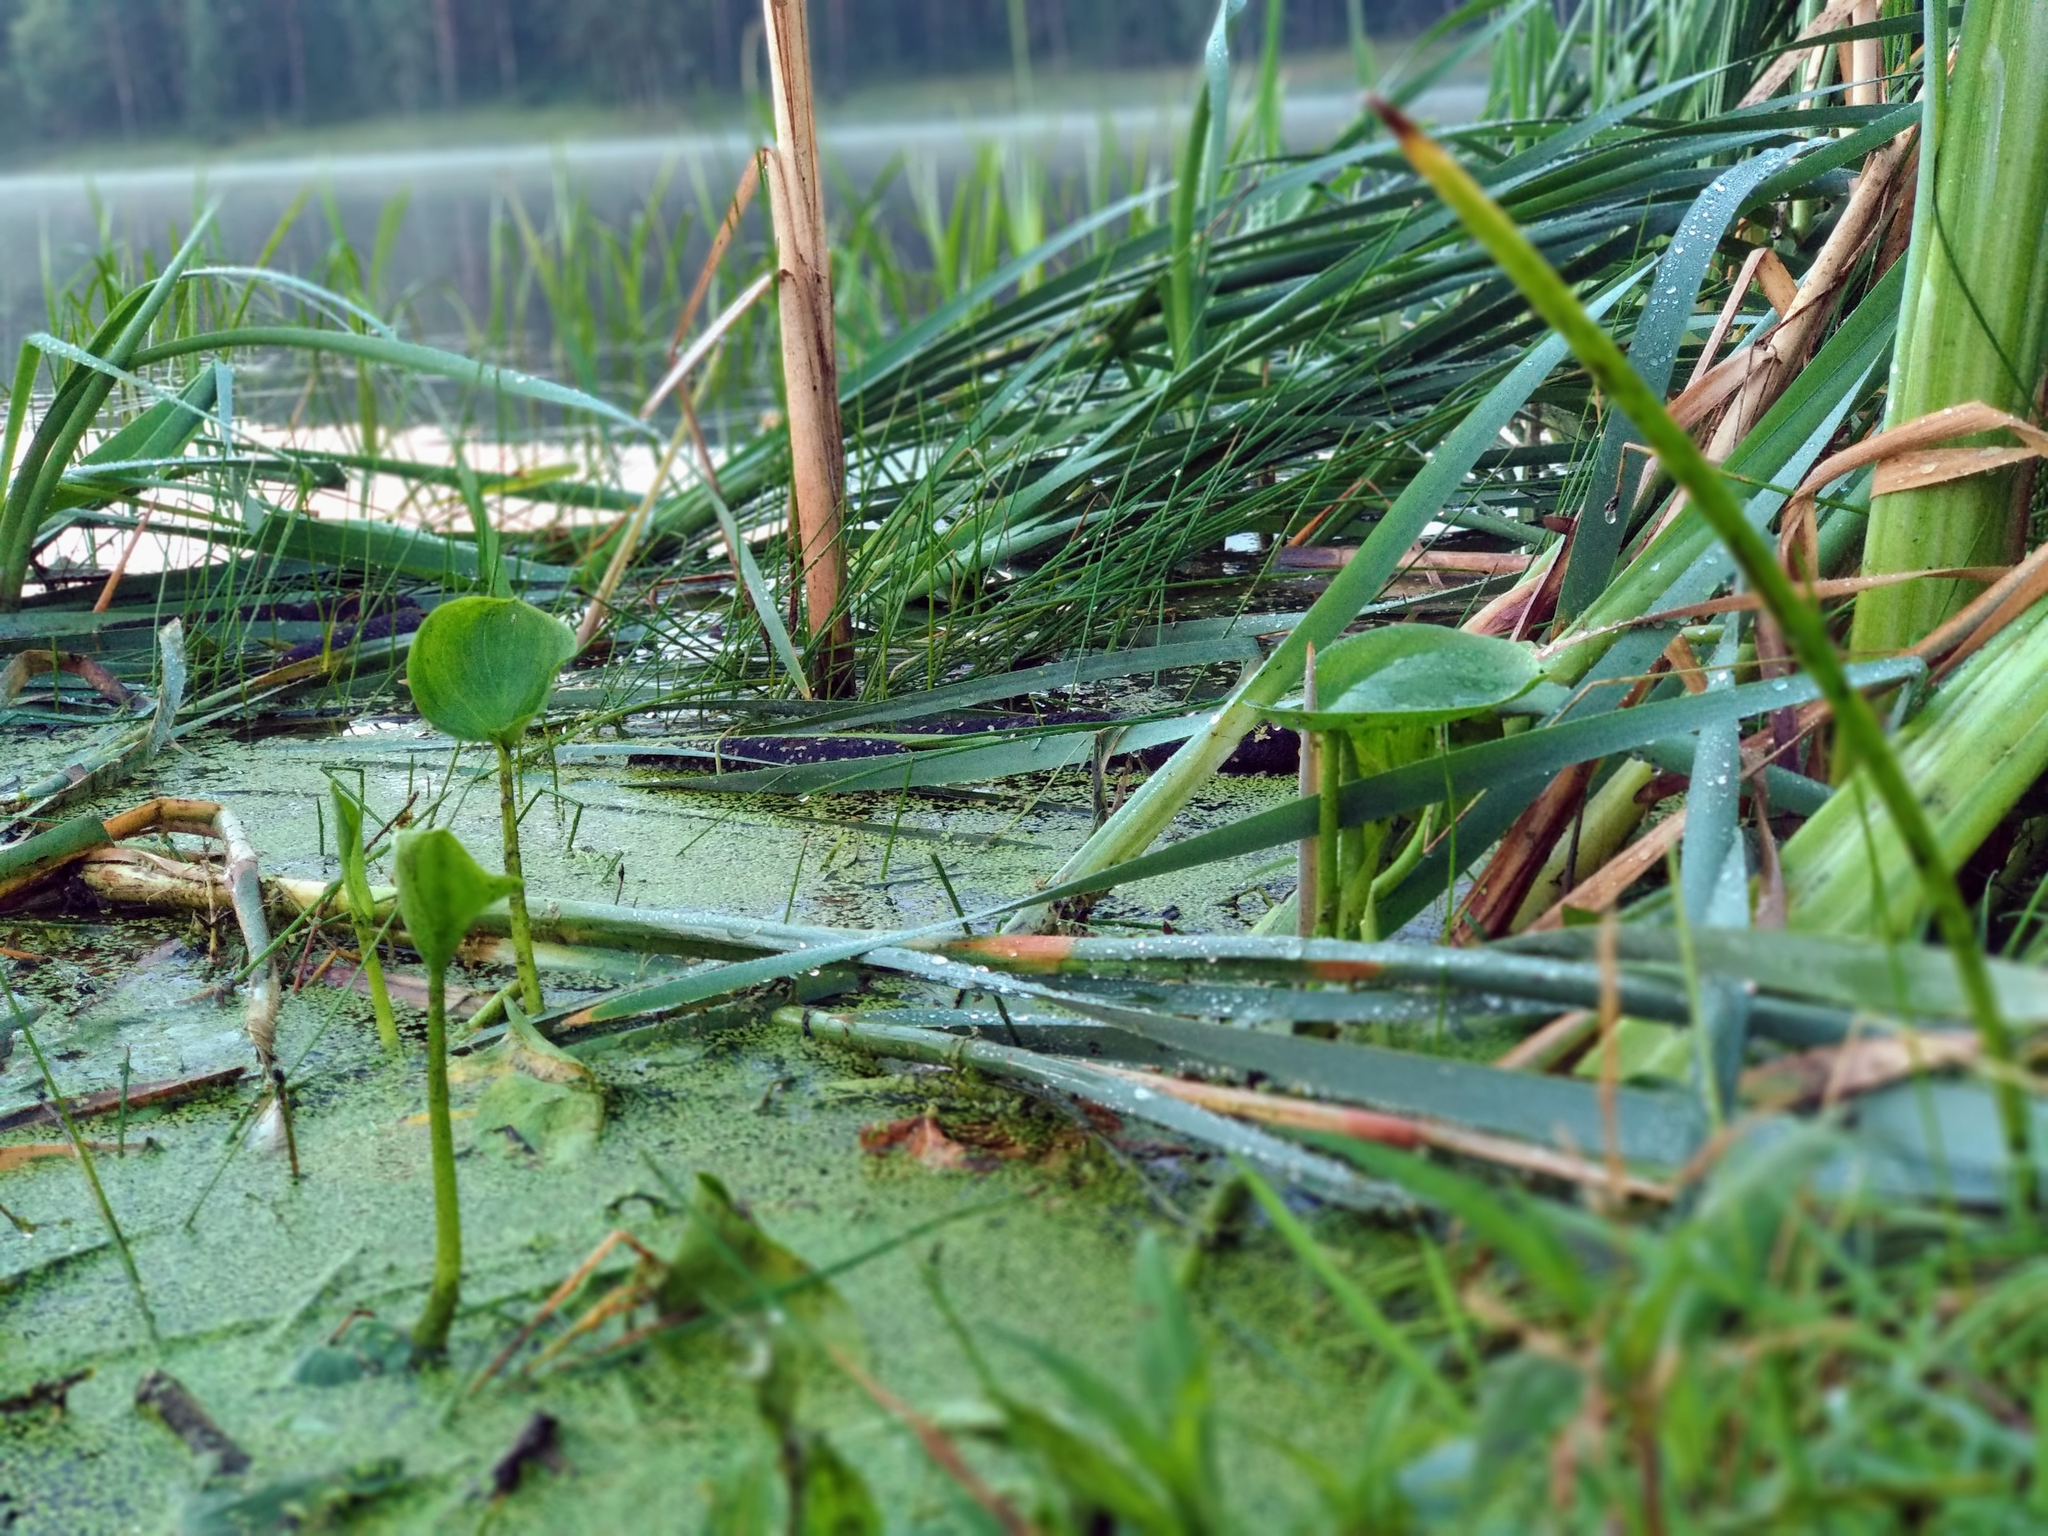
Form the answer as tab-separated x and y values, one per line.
810	359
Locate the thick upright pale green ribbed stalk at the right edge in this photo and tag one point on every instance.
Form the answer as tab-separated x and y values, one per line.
1975	323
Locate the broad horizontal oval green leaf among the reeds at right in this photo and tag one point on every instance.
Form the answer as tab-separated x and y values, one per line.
1410	675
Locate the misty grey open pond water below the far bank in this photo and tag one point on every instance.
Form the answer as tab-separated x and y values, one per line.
52	224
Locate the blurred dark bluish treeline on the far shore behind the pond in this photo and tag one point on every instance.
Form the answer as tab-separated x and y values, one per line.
110	69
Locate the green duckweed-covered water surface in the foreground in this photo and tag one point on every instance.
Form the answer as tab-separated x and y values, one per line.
275	1299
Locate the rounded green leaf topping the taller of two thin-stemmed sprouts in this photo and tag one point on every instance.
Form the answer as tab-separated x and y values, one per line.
480	669
